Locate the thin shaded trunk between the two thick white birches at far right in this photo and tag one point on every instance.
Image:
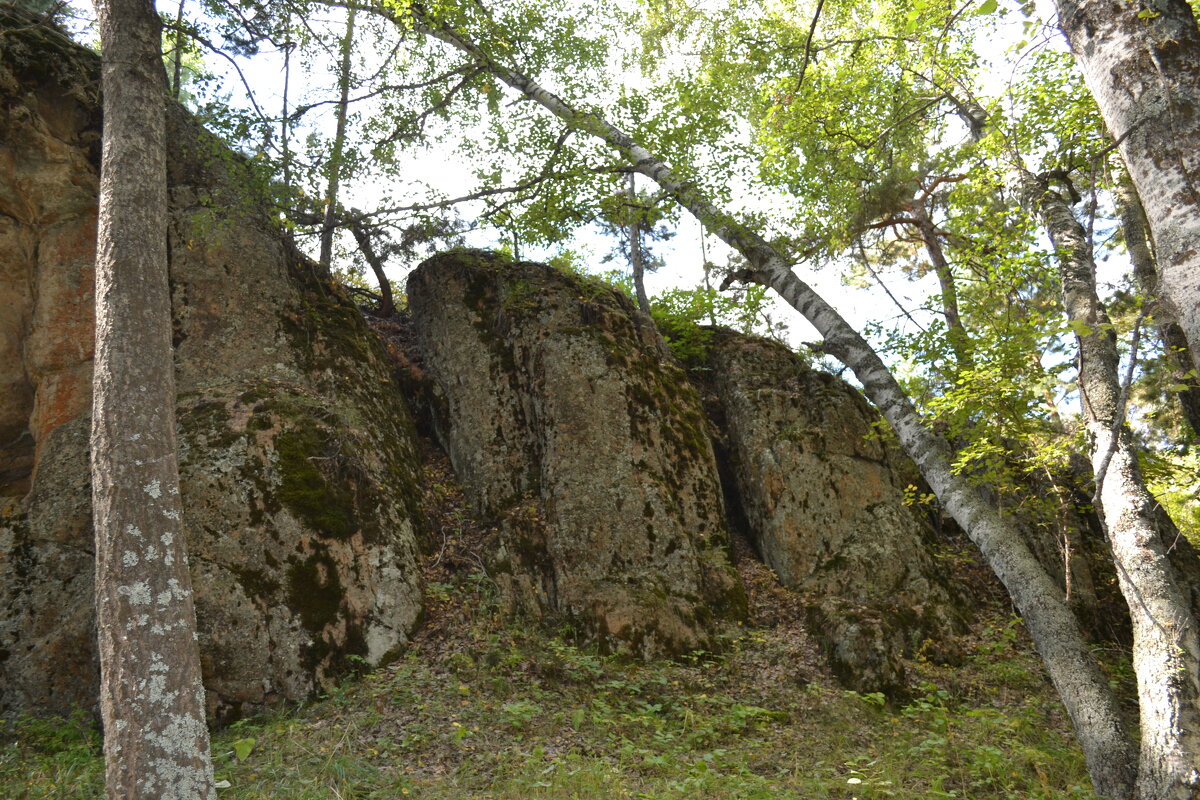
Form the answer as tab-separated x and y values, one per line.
1145	270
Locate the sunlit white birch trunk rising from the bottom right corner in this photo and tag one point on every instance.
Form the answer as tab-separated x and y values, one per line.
1166	636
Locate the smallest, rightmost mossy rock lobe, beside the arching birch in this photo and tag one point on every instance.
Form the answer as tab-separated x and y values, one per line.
826	509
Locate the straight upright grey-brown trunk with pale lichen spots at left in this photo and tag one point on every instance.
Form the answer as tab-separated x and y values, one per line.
157	744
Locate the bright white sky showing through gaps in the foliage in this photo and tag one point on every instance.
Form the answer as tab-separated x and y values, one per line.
439	167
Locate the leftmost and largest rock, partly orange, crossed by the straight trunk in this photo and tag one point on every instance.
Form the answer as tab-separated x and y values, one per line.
298	460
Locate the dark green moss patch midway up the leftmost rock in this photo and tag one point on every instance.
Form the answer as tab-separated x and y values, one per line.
325	506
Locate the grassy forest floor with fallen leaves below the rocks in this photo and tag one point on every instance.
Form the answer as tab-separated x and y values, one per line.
485	707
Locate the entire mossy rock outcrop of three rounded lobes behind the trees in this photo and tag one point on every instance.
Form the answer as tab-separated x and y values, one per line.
575	432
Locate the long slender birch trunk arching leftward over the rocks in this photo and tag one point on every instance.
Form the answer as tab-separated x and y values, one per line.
1085	693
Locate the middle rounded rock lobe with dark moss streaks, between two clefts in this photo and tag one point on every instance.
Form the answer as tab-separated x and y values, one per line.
569	422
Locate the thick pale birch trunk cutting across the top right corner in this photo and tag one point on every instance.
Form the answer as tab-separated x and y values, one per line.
1143	64
